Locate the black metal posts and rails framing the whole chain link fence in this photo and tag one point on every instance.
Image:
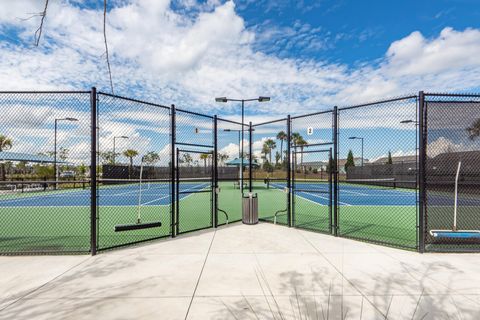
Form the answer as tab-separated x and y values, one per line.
175	192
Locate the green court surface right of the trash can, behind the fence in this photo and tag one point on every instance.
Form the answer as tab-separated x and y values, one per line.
393	225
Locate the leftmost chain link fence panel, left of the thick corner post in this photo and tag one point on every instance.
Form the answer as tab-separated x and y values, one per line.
44	172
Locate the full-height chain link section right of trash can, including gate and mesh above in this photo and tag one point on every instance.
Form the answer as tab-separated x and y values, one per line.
312	171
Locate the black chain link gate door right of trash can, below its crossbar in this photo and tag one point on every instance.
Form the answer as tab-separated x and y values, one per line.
312	197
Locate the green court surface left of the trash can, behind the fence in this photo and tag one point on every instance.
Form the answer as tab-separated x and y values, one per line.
65	228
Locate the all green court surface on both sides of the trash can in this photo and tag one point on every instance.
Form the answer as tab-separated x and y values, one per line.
65	228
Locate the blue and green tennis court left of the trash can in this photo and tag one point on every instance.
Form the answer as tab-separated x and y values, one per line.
60	219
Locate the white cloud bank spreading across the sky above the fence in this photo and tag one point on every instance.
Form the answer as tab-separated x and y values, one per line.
176	57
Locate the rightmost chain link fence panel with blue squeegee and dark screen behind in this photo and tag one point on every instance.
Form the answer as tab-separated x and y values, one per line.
452	143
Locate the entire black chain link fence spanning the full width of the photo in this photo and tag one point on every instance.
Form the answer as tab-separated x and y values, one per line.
81	171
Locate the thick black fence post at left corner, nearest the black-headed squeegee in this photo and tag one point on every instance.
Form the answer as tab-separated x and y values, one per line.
93	171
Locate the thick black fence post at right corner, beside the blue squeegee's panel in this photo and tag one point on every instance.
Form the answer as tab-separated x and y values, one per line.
422	121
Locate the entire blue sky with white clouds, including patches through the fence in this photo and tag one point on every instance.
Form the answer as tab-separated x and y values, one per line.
306	55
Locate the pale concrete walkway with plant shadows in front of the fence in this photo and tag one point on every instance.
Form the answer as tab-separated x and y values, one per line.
243	272
